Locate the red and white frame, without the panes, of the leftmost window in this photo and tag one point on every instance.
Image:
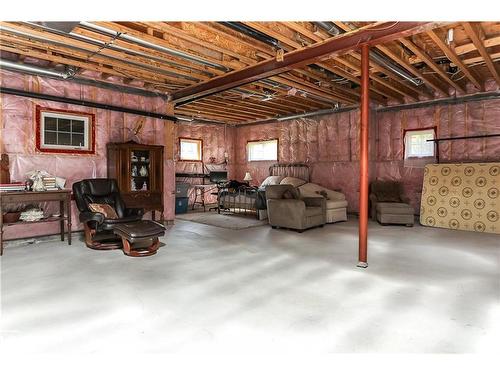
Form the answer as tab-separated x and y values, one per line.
88	118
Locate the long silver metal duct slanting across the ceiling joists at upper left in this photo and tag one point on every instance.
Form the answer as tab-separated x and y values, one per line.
133	39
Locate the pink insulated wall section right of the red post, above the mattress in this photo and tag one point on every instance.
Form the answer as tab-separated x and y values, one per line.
466	119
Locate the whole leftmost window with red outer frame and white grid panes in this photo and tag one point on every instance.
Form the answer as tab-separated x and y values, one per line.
61	131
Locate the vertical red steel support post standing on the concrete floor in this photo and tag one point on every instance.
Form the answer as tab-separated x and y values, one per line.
363	156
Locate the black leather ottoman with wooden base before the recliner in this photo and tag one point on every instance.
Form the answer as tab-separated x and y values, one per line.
143	234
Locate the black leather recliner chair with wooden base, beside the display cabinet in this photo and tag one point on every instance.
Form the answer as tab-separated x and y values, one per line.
98	229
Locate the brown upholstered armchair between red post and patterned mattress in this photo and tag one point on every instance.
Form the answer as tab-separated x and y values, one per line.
389	205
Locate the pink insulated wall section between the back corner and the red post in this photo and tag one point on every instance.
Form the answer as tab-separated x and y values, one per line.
328	144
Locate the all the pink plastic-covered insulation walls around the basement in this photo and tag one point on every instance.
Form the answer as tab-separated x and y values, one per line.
329	144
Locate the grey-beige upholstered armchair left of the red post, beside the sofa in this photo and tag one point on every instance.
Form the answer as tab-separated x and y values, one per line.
287	209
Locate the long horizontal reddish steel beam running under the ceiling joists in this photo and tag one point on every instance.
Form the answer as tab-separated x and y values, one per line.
372	34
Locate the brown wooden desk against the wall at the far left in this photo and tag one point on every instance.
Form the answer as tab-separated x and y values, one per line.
62	196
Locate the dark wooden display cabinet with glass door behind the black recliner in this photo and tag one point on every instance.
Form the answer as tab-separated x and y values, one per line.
138	169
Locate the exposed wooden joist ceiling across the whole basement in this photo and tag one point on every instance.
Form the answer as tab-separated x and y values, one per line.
323	82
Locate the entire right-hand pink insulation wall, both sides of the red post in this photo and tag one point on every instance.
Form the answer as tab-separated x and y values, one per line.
329	144
